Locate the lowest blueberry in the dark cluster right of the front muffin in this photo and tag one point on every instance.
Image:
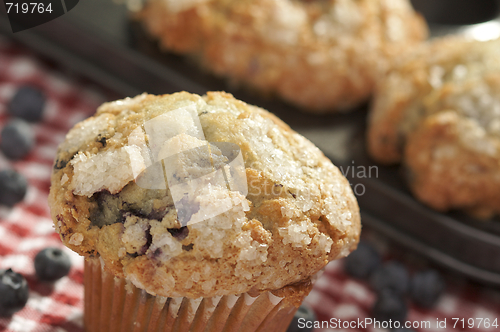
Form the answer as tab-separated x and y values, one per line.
389	306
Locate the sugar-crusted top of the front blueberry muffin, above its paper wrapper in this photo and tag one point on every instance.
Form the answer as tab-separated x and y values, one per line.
200	196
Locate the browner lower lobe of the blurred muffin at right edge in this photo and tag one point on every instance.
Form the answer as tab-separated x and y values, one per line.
446	172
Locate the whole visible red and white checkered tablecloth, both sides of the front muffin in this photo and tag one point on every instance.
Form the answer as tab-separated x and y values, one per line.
27	228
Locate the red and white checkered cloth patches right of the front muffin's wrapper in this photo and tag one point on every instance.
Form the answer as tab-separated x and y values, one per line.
337	295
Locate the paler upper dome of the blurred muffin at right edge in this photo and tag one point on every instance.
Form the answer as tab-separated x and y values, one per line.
451	73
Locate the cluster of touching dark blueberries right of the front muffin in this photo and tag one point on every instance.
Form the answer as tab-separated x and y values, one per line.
392	283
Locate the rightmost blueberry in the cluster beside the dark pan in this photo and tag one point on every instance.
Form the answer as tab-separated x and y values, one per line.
426	288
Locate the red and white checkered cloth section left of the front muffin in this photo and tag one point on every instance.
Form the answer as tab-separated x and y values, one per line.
27	228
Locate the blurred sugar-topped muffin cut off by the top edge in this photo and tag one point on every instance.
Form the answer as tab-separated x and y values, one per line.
321	55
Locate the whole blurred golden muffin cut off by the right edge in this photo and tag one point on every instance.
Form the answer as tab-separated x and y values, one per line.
438	112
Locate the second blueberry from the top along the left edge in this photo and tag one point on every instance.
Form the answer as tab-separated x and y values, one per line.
17	139
